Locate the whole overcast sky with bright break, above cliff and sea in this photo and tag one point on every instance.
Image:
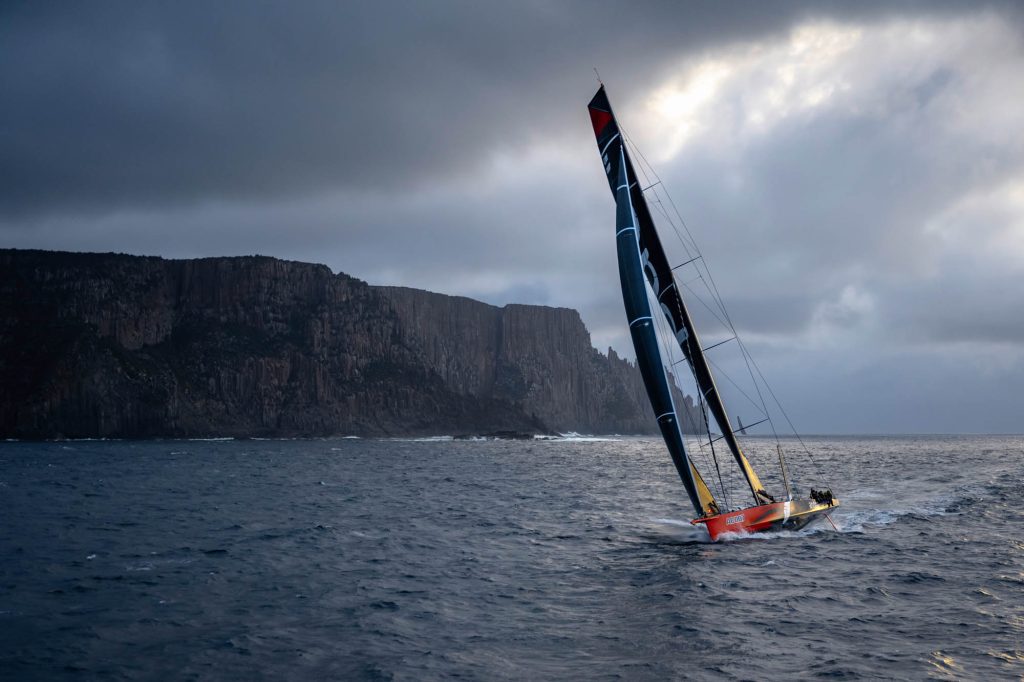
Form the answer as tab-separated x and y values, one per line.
855	173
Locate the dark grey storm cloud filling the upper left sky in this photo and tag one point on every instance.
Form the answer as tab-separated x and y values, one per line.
123	105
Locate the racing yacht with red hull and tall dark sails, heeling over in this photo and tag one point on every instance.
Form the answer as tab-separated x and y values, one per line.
646	275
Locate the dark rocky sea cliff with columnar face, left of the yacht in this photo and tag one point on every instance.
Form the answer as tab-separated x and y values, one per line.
106	346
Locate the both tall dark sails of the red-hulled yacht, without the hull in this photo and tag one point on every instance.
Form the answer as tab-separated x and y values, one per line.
642	259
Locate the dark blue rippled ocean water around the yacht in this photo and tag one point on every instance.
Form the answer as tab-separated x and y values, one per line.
500	561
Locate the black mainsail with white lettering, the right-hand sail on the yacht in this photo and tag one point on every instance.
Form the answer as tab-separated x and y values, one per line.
655	266
